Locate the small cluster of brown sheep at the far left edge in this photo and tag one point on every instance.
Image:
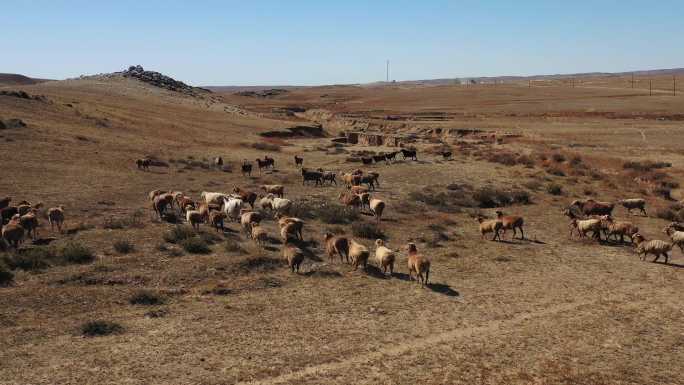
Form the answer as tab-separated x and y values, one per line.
22	220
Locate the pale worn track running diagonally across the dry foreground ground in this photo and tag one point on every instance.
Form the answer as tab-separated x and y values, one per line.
423	343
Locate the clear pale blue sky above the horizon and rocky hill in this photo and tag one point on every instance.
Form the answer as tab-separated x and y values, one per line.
252	42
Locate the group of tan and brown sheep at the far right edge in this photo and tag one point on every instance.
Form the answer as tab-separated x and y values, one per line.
595	218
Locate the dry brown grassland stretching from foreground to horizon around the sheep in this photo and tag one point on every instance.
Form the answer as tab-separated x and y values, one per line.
549	309
